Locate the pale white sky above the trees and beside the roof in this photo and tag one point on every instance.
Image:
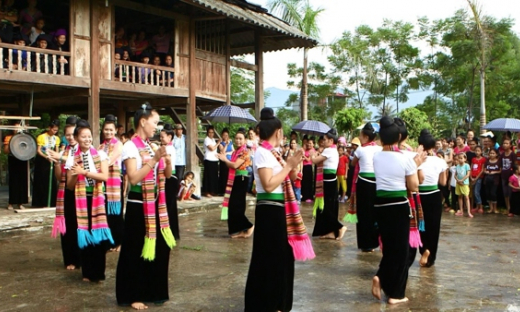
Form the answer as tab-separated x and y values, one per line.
346	15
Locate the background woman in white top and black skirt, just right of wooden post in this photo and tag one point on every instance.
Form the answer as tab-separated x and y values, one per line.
210	180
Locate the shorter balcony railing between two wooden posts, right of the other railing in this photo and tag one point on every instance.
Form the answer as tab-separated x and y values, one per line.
145	74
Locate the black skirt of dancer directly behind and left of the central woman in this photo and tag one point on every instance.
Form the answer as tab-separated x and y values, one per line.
237	220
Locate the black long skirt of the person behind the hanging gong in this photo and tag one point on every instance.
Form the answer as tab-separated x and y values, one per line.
18	192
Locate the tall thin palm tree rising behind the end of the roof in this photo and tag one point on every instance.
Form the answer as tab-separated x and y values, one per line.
303	16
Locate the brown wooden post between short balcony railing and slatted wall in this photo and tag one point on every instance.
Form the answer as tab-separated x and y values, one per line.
192	133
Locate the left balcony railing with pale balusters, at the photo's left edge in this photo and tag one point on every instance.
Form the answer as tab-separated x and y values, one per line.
35	59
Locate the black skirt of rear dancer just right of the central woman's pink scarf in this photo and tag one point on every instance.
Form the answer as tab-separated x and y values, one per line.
327	219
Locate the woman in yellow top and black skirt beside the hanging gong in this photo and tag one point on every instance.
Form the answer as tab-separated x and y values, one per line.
42	167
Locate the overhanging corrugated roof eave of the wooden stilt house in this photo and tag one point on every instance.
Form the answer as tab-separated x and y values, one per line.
258	17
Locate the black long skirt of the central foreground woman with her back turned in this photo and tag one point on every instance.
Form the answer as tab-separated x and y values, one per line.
270	279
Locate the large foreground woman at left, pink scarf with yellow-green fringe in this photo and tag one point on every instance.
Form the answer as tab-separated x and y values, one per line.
142	276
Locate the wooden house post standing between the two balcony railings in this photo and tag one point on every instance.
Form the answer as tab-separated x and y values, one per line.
93	100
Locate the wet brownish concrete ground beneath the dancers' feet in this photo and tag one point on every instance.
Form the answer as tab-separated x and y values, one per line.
477	269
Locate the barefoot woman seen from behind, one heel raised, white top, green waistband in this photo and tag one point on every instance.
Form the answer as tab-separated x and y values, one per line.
392	212
